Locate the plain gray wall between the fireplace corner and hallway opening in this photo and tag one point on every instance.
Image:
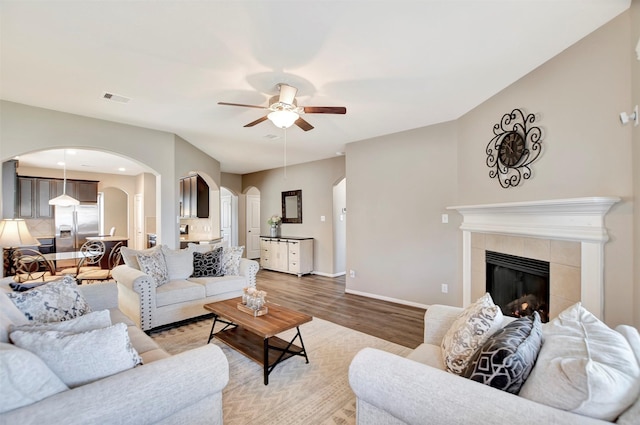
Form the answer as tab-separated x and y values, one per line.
398	187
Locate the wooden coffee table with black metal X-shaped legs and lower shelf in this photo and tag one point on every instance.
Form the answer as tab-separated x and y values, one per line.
255	337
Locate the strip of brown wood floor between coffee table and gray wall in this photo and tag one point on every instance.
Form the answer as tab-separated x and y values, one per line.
325	298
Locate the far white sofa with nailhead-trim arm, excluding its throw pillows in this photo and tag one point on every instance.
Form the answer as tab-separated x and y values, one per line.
183	297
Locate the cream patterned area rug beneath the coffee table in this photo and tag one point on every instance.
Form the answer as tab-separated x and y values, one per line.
298	393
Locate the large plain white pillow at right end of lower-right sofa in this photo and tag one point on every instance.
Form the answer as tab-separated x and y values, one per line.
584	367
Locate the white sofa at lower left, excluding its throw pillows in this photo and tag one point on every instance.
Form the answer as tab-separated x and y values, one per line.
180	389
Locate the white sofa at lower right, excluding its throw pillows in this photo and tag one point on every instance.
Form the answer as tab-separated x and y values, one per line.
416	390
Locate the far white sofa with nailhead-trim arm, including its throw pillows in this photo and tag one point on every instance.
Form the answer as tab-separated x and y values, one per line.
151	303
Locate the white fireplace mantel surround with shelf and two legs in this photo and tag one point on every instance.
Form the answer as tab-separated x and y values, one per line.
574	219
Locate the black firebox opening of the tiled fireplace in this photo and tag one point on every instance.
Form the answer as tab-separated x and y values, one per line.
518	285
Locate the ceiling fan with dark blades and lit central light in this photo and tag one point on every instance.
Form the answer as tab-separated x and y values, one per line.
284	110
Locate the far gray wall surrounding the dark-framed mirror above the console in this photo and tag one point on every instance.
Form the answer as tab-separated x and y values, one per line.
316	180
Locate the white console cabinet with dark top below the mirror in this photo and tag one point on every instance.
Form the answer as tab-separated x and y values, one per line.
287	254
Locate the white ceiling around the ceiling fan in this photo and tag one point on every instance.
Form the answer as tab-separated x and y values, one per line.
395	65
